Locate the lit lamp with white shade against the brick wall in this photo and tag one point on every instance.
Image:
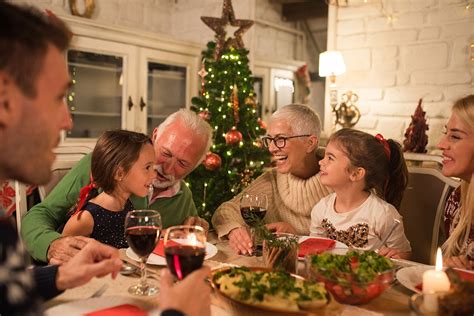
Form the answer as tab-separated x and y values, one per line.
331	64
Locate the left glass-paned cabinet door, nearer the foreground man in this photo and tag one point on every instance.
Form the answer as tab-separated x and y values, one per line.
103	86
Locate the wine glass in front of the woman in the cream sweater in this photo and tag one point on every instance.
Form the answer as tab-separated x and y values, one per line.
253	207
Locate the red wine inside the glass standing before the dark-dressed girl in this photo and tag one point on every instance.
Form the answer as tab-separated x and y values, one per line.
142	239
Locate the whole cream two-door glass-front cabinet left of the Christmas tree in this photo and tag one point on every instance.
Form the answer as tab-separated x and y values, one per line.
121	79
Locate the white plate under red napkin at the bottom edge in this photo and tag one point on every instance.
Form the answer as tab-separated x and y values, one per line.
82	307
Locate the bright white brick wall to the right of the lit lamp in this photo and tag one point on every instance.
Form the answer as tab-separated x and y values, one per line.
423	53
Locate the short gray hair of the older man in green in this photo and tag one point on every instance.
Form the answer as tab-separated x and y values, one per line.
193	122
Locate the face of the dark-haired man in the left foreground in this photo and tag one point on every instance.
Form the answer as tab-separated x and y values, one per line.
34	125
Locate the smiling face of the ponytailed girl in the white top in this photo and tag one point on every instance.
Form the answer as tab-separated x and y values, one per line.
335	167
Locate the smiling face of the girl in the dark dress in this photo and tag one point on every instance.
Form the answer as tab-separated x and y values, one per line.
141	175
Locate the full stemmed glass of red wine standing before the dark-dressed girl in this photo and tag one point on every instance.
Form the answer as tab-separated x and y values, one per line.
142	231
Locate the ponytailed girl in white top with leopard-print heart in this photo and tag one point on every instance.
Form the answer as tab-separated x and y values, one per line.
366	173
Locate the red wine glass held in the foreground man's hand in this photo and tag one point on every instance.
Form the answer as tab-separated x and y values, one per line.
185	249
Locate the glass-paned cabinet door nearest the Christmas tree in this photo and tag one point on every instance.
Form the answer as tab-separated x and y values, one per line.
167	82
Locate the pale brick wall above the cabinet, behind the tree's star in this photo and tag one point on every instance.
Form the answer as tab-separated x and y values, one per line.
181	20
